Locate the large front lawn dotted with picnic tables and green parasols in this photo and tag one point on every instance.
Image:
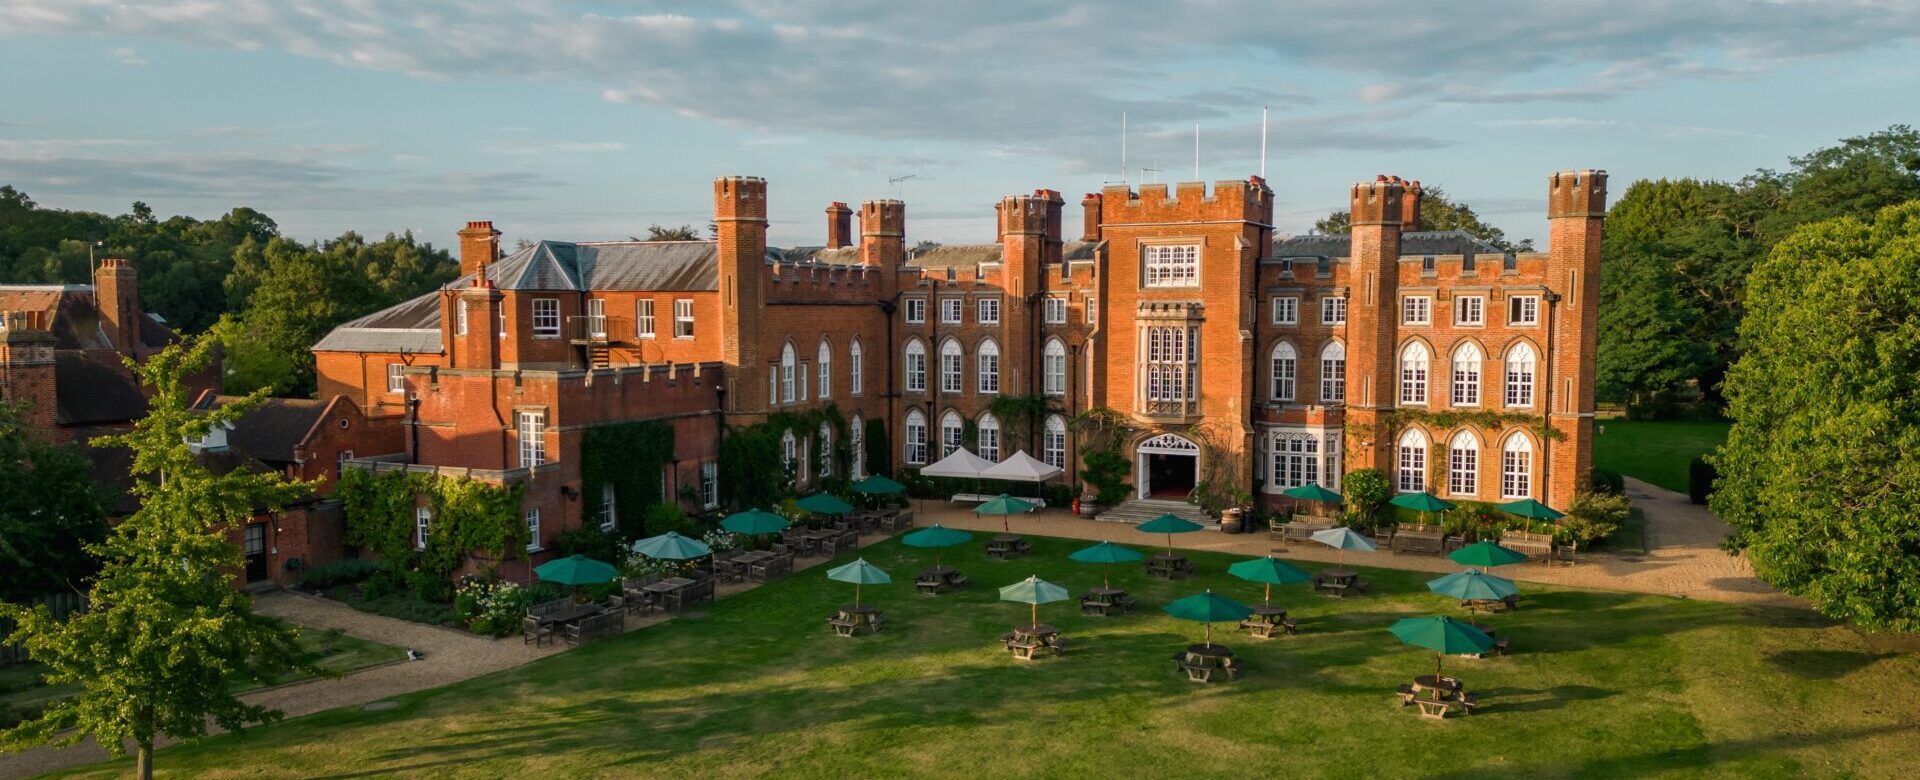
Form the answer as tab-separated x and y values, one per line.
1600	685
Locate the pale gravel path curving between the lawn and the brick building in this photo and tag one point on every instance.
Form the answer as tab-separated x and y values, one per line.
1683	560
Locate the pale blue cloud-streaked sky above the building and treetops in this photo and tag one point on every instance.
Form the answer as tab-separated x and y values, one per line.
592	120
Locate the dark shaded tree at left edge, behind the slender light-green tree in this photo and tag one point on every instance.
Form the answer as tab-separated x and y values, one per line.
49	514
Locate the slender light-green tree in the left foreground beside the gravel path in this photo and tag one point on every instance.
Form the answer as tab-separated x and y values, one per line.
166	633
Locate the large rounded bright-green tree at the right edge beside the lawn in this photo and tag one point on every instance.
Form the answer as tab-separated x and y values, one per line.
1821	472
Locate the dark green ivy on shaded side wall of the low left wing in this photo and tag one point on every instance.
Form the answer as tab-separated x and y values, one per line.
631	456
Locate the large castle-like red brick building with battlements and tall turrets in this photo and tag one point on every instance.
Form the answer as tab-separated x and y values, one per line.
1241	358
